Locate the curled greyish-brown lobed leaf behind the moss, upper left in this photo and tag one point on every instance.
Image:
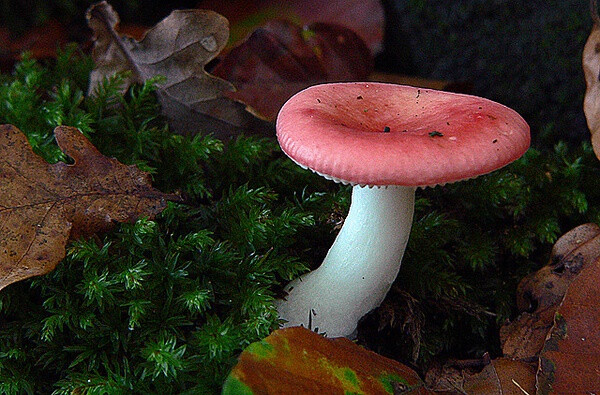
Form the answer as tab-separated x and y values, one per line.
178	48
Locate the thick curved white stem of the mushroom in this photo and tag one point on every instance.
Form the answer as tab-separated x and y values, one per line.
359	268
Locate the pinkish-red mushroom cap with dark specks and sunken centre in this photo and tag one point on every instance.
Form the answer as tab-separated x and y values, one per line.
384	134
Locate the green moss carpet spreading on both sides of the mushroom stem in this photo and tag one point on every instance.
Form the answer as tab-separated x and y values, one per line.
167	305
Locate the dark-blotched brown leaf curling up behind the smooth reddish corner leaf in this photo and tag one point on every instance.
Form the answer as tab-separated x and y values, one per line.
539	294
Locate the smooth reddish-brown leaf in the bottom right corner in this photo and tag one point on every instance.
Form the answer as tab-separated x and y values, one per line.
570	359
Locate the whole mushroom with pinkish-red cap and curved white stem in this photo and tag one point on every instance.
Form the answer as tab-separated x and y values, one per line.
385	140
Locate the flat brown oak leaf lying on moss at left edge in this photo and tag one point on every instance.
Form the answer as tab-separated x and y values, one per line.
43	205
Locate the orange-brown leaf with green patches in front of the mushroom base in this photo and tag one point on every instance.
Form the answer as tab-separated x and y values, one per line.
298	361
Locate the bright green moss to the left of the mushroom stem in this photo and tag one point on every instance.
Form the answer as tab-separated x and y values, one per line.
155	306
